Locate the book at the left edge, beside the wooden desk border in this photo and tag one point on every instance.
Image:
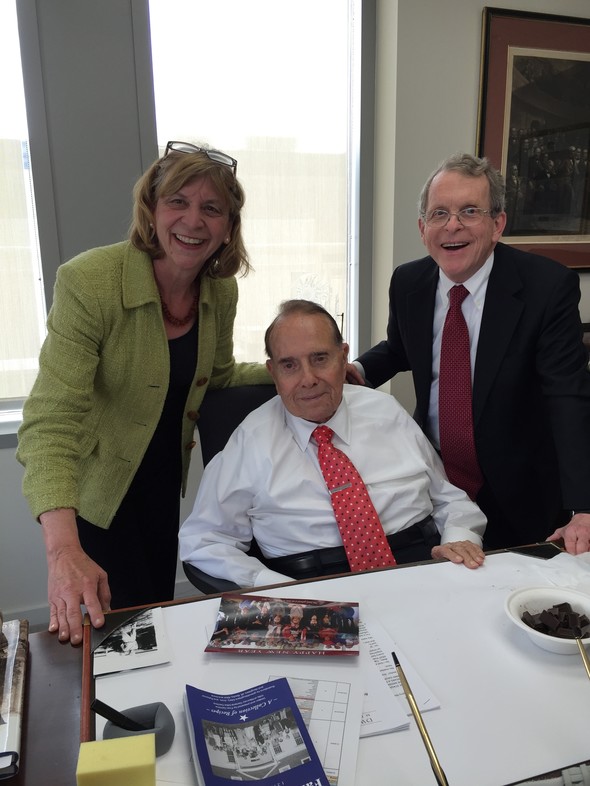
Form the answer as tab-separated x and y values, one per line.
14	646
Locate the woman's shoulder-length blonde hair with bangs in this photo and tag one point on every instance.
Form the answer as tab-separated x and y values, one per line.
168	175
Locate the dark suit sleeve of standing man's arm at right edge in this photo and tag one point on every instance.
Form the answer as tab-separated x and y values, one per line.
565	379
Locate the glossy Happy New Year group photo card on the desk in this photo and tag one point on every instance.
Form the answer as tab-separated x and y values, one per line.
285	626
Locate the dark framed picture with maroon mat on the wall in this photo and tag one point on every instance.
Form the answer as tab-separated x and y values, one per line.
534	125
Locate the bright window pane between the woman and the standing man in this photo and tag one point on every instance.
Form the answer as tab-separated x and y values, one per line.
272	85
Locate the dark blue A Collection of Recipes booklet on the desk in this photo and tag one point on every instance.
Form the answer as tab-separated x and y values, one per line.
254	735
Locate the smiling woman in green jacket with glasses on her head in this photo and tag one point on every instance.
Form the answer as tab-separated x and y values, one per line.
137	332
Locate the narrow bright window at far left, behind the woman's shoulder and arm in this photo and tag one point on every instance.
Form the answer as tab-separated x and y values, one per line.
22	304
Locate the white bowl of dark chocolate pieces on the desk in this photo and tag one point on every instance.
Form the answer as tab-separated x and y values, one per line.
552	617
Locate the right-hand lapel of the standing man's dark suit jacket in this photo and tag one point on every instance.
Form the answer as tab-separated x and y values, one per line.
501	314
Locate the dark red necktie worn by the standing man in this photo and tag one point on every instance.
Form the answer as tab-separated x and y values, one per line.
455	409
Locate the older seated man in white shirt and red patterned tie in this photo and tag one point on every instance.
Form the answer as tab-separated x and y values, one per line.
291	486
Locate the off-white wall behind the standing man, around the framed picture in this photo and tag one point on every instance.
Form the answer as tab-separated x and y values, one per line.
427	99
